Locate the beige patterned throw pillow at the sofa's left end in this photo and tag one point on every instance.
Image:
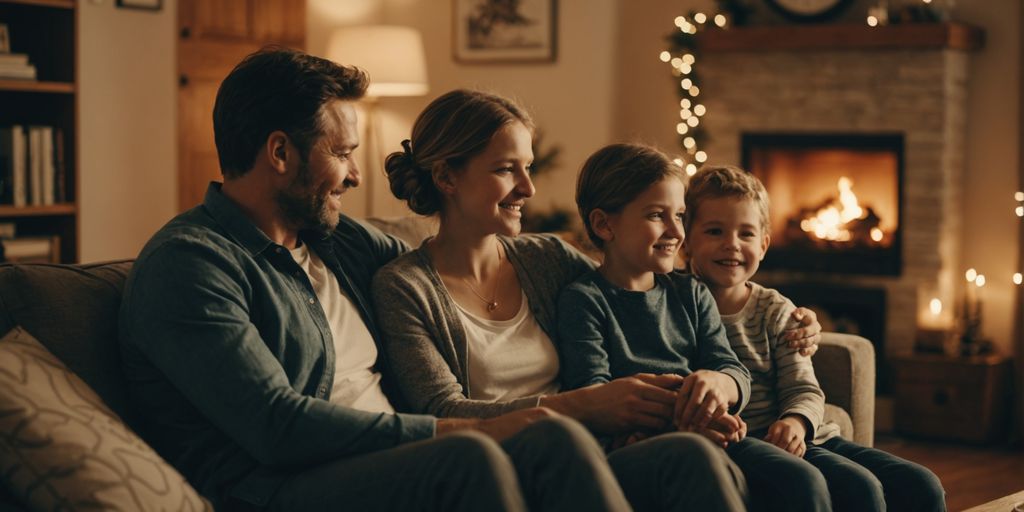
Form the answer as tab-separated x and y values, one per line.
62	448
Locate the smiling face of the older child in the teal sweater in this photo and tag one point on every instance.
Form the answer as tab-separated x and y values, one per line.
647	235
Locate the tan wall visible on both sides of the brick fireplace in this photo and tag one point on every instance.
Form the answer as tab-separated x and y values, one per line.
648	111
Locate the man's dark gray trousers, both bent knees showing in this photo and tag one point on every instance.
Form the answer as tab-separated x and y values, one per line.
553	464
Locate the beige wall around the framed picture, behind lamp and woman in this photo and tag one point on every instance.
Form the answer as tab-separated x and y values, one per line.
570	99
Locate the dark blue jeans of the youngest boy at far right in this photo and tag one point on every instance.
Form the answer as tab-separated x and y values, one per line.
862	479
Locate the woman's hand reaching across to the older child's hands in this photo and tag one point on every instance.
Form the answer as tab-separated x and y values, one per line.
639	403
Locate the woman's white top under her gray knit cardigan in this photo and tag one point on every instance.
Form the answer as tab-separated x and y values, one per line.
510	359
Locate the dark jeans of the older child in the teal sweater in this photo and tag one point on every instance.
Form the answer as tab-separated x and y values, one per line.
778	480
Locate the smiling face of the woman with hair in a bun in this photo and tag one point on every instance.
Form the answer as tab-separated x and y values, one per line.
488	195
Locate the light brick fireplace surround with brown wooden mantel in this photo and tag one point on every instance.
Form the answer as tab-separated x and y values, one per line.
909	79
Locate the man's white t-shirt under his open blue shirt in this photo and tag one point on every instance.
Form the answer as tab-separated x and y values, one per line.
356	383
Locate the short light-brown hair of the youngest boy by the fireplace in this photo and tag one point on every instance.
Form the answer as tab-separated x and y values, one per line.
724	182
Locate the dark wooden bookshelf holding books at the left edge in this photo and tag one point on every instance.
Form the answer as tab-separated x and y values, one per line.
45	30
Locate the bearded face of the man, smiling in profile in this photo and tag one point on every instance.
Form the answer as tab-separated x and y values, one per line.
313	198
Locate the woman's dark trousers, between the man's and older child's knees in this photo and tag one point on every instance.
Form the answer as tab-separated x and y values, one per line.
679	472
